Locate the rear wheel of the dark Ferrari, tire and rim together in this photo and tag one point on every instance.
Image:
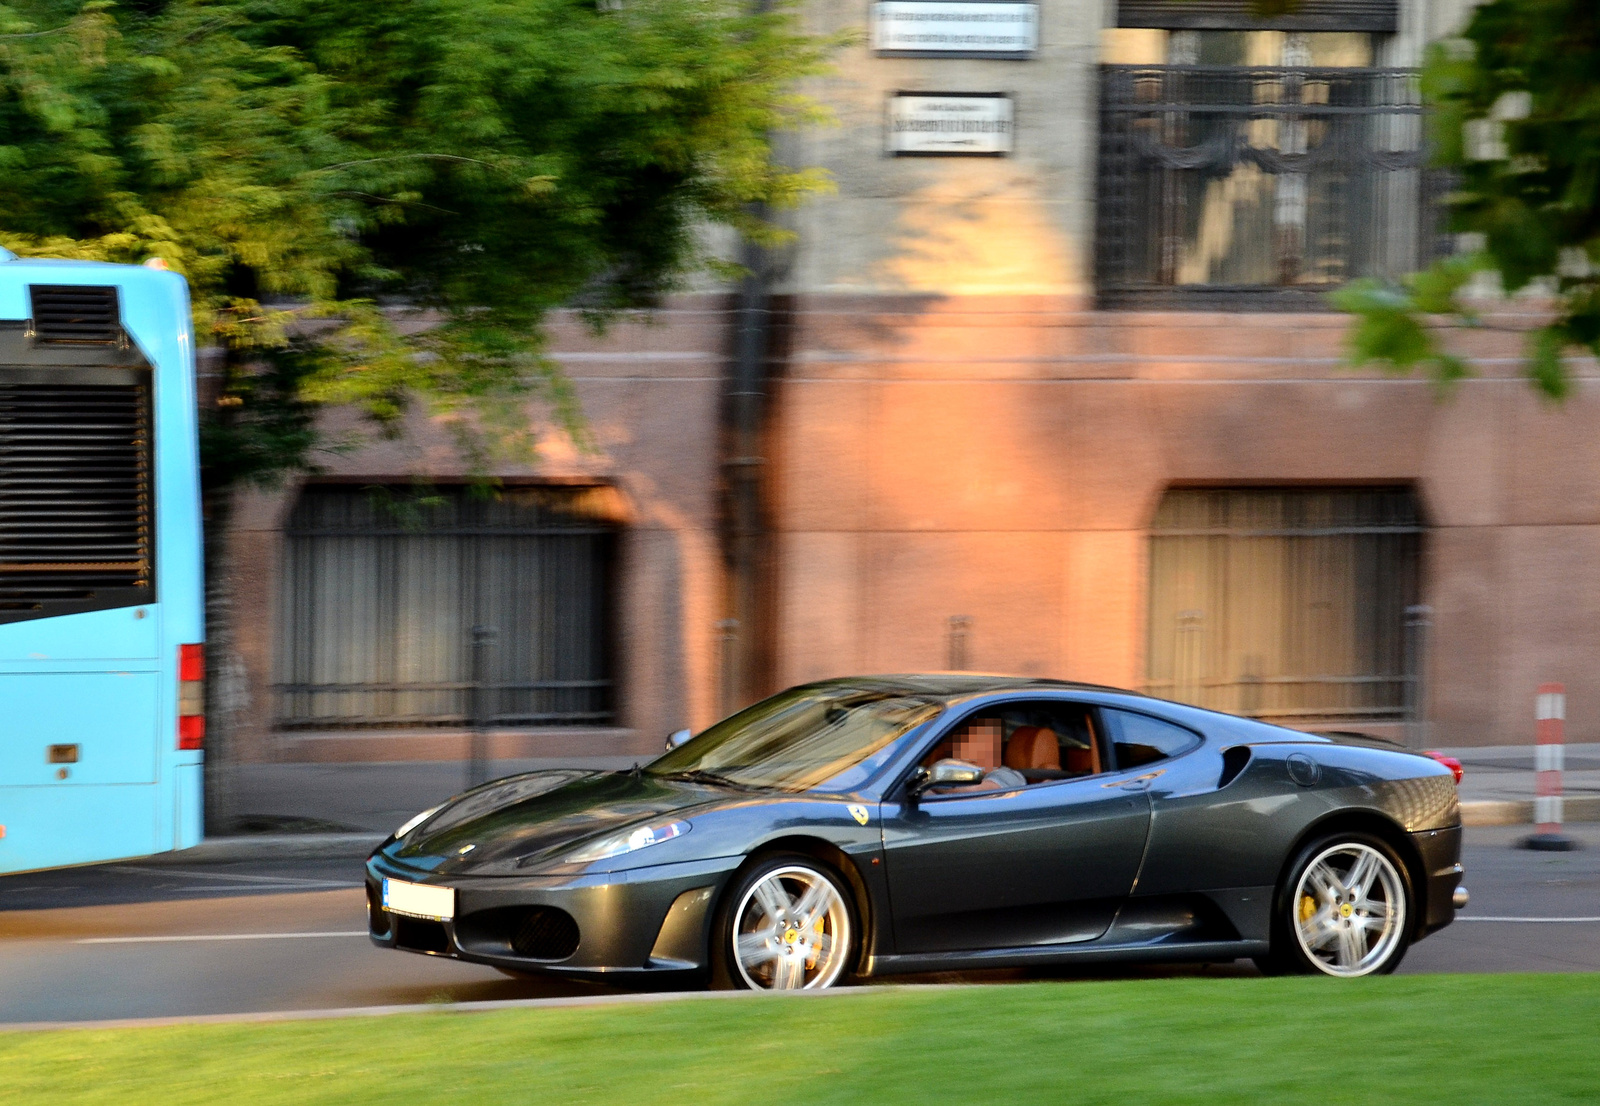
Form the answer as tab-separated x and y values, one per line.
1346	910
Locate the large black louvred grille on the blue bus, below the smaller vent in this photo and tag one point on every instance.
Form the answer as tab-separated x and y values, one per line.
74	492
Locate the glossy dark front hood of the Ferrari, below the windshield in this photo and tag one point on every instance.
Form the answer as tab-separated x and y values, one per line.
521	820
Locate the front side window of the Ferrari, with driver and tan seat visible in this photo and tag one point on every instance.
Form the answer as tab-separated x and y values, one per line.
1022	745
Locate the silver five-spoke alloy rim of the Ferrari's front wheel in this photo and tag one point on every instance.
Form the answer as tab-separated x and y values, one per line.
791	932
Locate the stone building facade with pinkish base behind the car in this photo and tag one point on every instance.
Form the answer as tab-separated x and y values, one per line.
1074	409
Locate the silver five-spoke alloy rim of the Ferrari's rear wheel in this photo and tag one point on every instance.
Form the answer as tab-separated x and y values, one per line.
1350	910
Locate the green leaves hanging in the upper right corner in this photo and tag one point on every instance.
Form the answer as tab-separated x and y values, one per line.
1516	114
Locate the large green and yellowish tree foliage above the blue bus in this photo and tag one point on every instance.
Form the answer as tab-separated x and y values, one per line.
319	169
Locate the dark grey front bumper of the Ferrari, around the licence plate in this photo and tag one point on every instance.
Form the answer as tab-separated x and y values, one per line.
646	921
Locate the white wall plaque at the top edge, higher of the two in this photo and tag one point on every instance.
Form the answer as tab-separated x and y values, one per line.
956	28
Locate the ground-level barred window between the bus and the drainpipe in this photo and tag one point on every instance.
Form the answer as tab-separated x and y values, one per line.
382	591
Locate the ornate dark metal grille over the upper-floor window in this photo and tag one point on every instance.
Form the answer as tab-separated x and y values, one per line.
1258	188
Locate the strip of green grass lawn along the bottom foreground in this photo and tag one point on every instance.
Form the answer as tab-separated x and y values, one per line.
1420	1040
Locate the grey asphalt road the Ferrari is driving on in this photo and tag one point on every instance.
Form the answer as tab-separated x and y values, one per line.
145	940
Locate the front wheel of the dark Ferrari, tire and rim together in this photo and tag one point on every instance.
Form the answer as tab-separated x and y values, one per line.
788	924
